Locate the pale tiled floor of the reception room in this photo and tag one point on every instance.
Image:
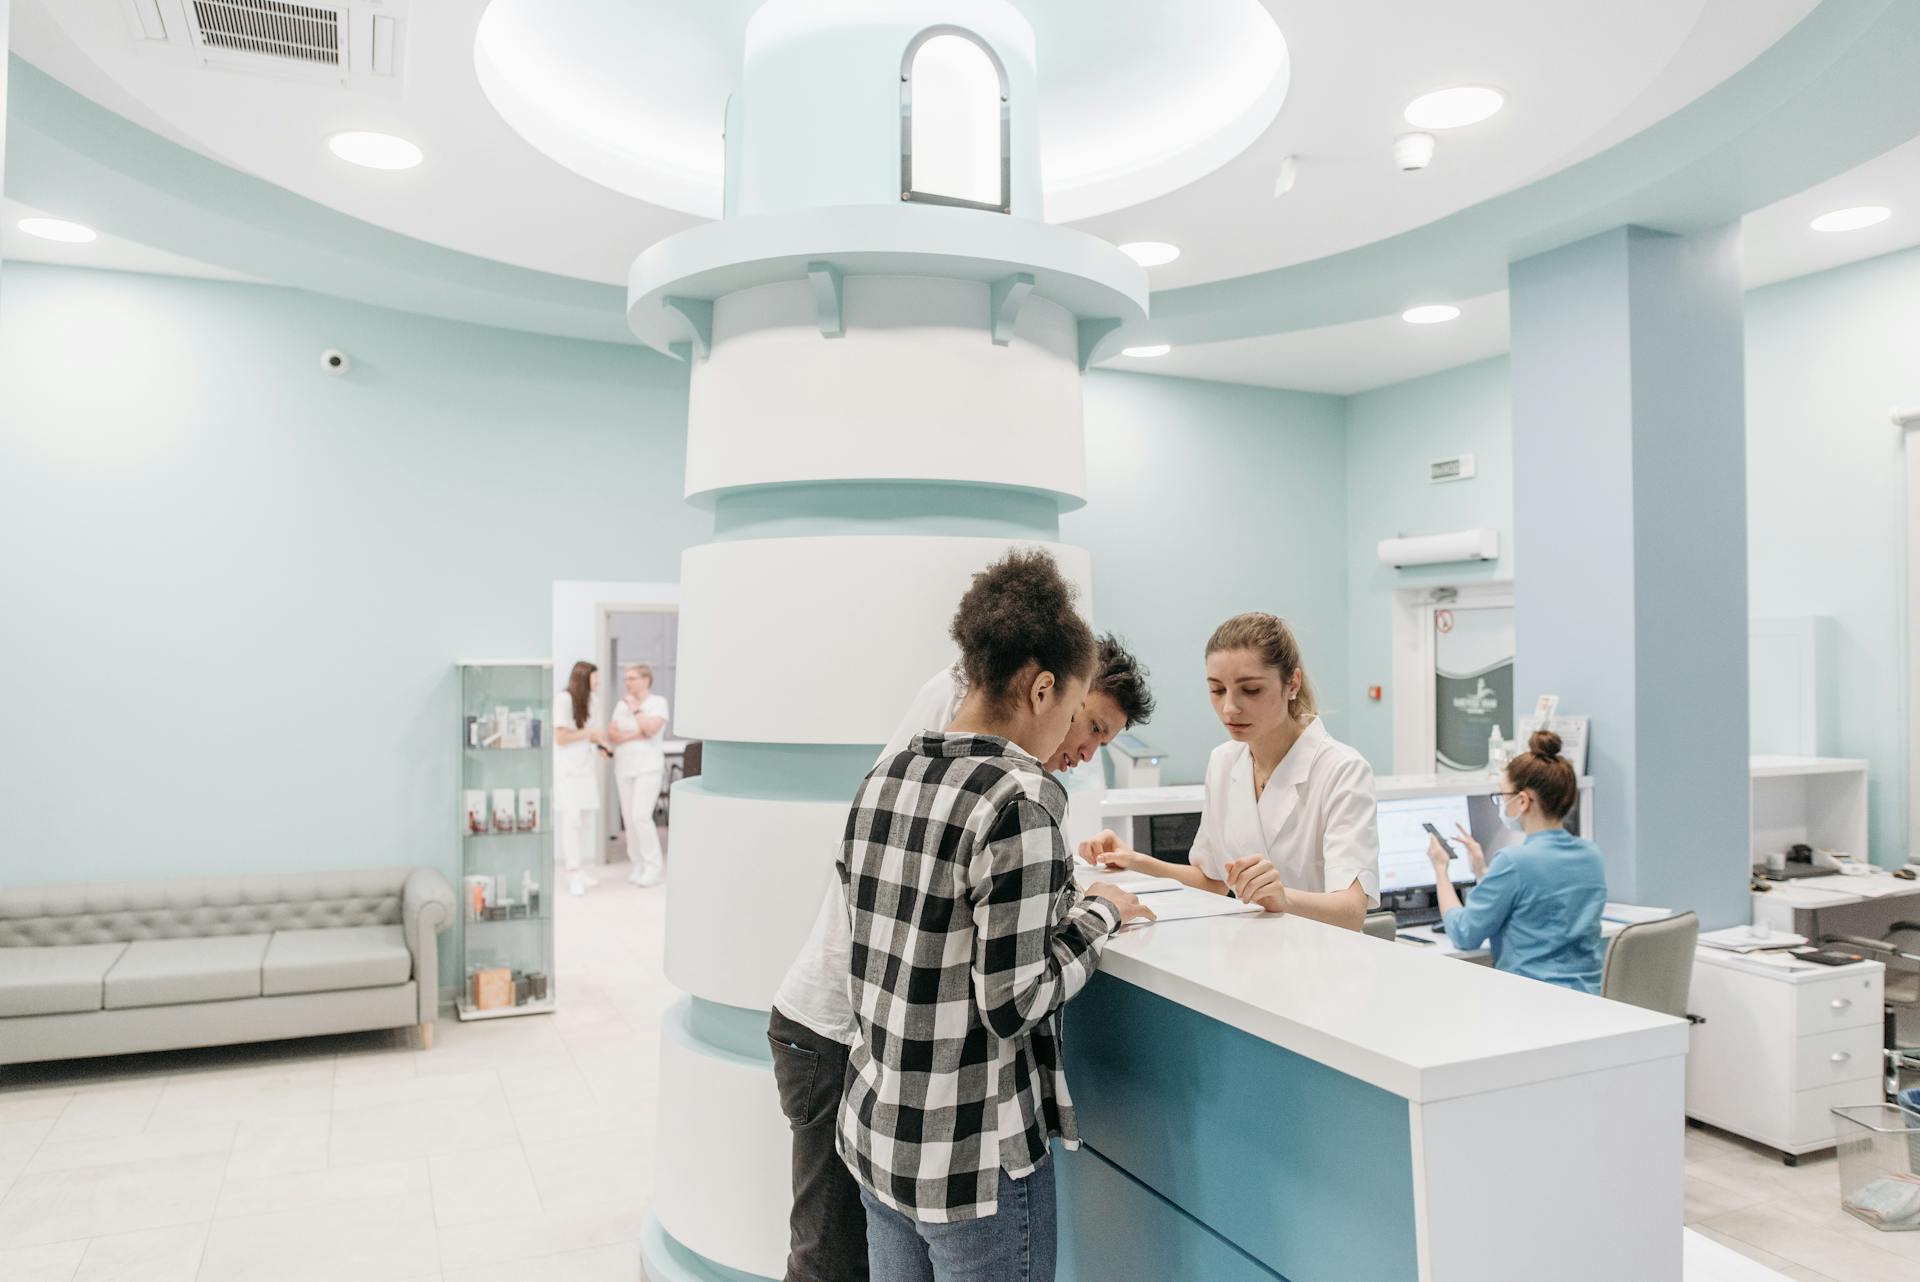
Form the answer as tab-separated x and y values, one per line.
519	1151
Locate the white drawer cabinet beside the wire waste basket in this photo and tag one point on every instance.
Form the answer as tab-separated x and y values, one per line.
1783	1047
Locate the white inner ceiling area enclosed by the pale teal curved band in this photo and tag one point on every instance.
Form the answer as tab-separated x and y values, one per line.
1577	76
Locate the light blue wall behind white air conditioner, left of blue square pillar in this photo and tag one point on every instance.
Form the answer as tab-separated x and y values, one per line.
1391	439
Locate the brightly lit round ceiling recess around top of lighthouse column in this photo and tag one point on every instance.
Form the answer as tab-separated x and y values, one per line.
1138	97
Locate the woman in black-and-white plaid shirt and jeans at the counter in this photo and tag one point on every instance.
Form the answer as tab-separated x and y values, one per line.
969	938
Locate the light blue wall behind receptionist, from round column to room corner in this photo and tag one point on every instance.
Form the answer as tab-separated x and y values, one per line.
1207	500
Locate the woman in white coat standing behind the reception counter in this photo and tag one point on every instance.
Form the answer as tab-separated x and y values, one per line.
1289	815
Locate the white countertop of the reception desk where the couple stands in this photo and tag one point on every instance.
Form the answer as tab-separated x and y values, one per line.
1381	1012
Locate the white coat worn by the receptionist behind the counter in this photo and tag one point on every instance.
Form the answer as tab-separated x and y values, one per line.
1314	820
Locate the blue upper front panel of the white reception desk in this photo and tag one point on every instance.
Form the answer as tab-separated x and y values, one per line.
1301	1168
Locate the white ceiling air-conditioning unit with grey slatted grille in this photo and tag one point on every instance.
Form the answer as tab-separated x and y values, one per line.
348	43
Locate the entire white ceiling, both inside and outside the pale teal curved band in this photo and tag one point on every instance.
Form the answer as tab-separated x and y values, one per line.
1579	80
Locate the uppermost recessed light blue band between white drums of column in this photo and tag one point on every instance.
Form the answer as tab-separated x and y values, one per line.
888	508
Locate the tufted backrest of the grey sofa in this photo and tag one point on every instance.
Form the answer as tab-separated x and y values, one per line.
126	911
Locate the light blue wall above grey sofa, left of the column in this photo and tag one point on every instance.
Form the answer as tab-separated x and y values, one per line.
235	586
